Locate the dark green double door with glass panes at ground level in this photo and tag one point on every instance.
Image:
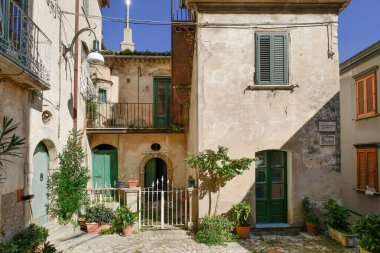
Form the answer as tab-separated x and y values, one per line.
271	187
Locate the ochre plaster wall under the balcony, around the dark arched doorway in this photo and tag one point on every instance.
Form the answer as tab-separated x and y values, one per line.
134	150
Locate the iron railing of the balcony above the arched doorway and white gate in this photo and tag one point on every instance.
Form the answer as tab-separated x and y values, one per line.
135	115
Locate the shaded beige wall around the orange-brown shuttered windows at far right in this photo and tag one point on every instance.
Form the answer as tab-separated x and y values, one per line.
357	132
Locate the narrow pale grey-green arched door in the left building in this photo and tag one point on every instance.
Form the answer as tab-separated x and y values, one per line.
39	184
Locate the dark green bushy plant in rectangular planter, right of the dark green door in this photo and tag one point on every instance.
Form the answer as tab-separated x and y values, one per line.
336	216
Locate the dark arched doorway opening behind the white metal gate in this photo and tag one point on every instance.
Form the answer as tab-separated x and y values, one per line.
156	172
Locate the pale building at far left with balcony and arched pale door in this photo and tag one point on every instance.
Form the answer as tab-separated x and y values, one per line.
37	91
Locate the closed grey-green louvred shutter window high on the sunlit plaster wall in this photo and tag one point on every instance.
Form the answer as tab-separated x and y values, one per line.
272	58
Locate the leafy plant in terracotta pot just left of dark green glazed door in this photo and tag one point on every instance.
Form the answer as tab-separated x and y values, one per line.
240	215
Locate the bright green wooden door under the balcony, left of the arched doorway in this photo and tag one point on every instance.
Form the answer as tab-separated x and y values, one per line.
104	168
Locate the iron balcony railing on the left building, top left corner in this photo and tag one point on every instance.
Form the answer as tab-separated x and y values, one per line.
23	42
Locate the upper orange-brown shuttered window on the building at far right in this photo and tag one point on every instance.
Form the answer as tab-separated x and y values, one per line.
366	96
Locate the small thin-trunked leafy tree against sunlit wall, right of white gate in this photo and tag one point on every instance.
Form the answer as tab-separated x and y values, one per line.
216	169
